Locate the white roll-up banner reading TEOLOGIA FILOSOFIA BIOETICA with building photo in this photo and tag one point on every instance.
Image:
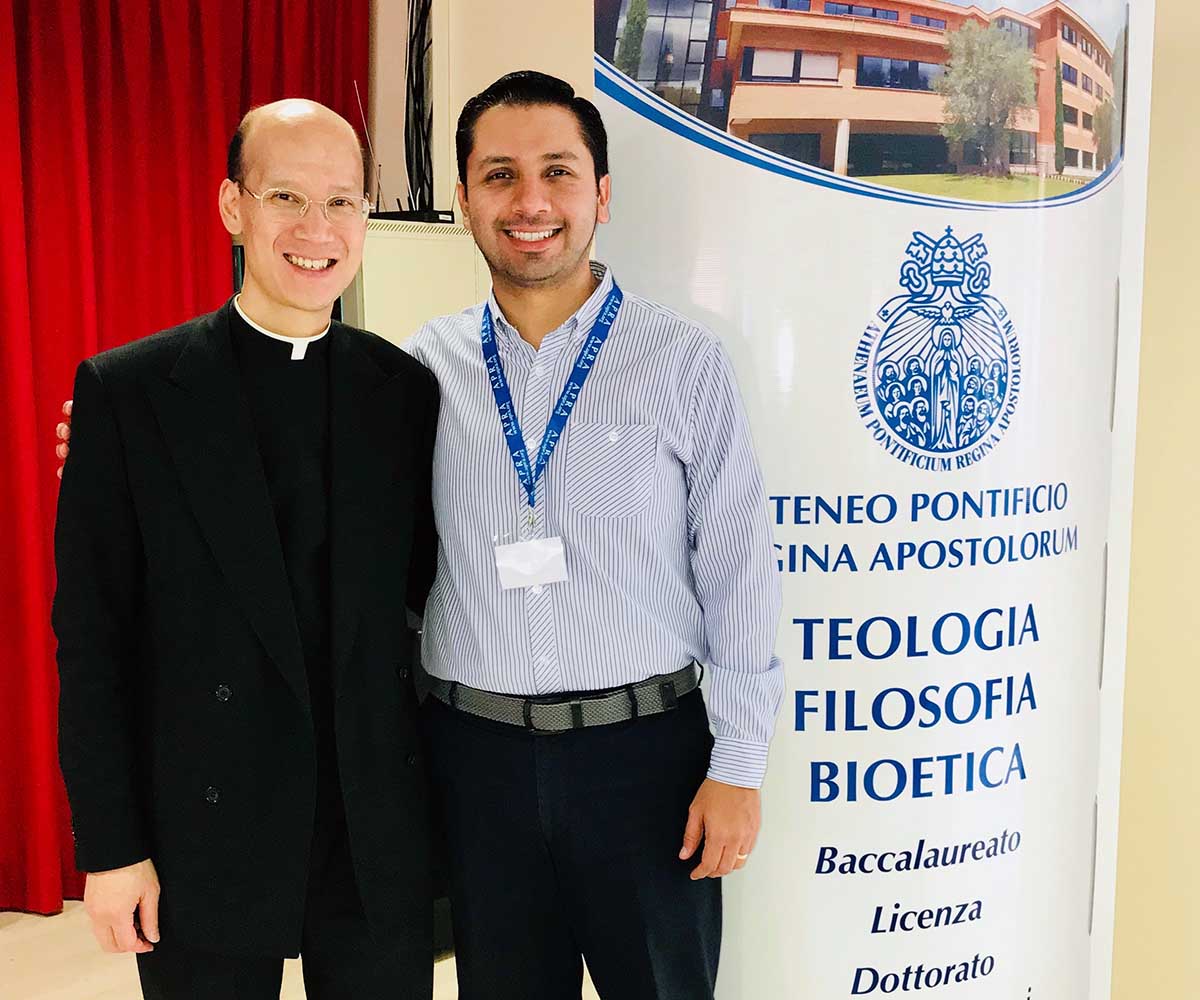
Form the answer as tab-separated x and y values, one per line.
905	223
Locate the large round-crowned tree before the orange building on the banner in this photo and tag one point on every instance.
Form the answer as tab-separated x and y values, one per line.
988	77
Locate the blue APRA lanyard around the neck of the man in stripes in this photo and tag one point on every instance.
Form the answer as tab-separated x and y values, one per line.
511	426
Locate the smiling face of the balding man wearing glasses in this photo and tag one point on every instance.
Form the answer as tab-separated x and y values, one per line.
296	267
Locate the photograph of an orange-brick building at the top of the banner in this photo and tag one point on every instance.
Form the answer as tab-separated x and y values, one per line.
919	95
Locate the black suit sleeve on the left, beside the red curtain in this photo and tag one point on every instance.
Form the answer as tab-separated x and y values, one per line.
98	604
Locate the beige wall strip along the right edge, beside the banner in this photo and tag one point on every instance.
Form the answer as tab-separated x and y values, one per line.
1159	877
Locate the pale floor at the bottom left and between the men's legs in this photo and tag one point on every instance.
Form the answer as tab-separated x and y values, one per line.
56	959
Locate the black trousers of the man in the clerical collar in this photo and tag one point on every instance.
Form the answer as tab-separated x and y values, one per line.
341	960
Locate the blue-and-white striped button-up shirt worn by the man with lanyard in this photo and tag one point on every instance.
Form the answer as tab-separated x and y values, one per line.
657	495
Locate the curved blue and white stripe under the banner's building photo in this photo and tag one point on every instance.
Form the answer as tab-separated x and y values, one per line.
615	85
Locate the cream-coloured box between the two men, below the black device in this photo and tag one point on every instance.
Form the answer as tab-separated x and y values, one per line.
411	273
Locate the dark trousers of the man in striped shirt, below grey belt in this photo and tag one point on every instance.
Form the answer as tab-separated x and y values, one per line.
566	848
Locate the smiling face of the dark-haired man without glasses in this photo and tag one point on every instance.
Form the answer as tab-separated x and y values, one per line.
532	199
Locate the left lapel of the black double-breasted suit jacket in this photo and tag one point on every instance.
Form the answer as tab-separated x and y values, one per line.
205	416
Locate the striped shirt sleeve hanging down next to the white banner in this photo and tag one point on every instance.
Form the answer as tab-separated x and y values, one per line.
737	582
